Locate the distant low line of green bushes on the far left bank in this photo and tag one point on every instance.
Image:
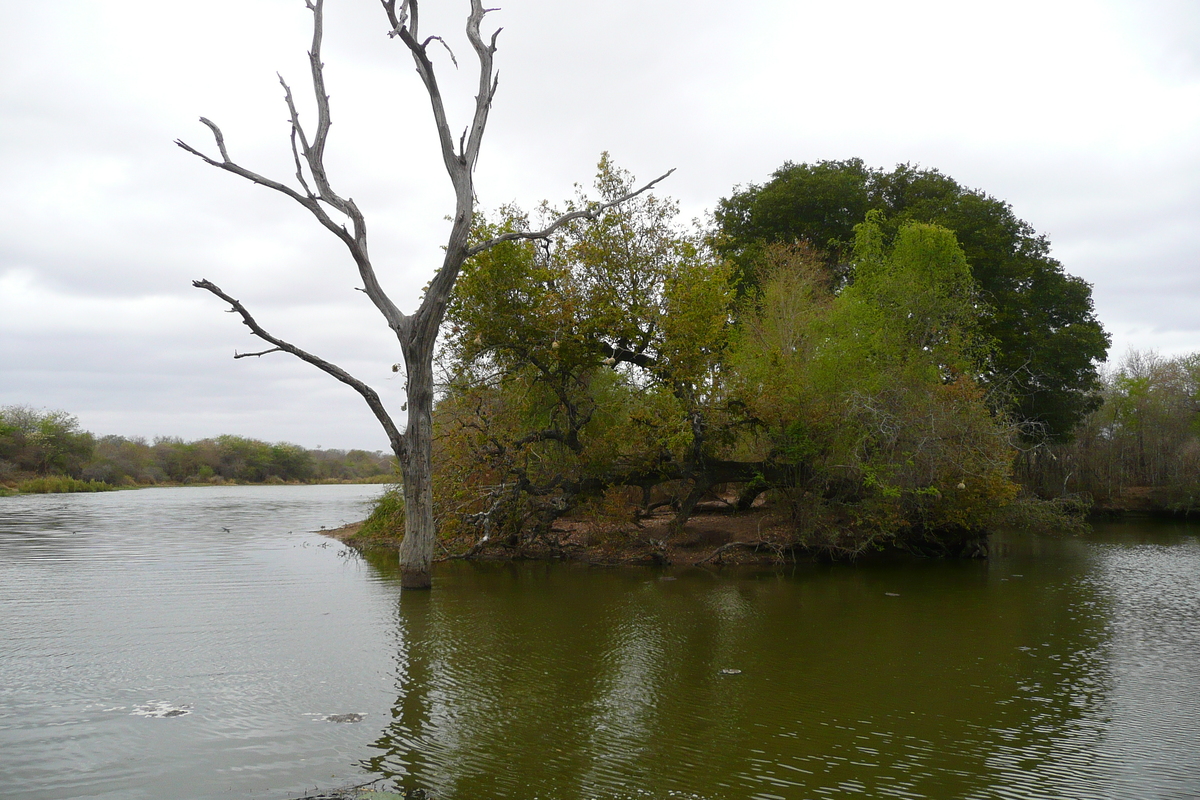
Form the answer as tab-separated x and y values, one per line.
47	452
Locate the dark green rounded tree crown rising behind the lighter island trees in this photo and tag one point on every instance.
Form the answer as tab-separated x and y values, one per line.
1048	341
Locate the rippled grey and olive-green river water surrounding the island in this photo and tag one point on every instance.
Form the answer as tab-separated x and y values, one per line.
194	643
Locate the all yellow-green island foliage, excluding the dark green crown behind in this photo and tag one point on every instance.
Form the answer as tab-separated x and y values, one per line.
621	358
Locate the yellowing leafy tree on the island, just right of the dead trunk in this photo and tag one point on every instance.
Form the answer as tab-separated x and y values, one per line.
584	364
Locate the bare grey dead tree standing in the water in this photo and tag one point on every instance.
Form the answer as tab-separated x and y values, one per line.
418	332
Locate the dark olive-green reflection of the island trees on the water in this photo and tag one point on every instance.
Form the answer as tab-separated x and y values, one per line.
928	679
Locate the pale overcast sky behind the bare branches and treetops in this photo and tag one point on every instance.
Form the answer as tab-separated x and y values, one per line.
1085	116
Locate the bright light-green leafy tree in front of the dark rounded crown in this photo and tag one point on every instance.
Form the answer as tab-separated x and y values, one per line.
867	396
